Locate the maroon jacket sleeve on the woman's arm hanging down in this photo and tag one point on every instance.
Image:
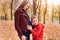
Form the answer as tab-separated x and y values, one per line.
17	18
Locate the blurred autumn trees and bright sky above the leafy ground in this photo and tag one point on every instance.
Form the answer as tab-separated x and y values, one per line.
48	11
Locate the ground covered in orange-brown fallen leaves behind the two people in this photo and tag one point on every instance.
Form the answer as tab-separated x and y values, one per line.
8	32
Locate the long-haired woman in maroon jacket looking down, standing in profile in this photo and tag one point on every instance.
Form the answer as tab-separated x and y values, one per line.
22	20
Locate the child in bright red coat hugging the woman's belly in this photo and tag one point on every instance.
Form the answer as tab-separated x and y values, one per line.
38	29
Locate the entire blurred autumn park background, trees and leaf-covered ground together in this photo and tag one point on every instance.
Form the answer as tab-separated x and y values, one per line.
48	12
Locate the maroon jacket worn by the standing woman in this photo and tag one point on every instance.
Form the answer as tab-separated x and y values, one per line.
20	21
